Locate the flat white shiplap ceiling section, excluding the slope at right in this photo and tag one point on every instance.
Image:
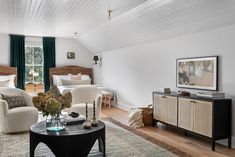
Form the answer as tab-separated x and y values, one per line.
60	18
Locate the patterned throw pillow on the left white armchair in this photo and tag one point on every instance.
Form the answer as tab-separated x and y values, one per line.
14	100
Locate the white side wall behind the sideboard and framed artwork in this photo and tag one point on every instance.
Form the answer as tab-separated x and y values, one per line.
136	71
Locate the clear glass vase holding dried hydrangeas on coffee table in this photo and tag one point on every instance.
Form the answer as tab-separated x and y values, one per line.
54	123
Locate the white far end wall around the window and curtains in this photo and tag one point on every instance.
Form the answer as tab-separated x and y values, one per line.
63	45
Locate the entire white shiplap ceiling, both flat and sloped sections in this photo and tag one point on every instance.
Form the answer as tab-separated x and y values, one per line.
133	21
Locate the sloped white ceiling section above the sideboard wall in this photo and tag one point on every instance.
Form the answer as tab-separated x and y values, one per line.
160	19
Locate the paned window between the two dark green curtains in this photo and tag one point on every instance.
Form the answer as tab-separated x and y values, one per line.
33	64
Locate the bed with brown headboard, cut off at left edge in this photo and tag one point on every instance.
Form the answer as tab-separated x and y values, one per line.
8	76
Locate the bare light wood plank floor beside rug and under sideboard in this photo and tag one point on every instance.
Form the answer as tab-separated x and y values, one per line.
193	145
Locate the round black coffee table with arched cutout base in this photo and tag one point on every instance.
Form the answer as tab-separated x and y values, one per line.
71	142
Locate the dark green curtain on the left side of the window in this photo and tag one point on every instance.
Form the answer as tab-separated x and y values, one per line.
17	58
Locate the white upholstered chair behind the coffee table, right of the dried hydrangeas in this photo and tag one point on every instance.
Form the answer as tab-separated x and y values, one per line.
83	94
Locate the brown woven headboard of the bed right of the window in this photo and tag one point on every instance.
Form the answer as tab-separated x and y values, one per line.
64	70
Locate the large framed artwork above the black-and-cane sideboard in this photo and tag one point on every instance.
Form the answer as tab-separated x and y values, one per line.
197	73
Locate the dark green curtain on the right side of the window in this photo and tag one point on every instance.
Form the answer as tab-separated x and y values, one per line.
49	59
